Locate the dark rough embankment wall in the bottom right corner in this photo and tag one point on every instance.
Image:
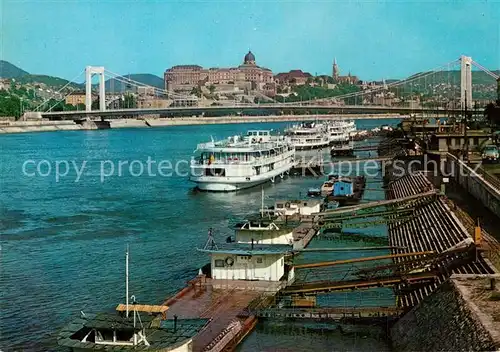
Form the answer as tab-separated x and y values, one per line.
447	320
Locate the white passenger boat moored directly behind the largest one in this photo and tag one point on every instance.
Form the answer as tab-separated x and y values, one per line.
308	135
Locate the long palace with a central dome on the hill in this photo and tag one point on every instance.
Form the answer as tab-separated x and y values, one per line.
247	76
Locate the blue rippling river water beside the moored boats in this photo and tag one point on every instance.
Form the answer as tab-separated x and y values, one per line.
68	210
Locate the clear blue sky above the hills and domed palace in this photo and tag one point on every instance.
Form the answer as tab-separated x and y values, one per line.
371	39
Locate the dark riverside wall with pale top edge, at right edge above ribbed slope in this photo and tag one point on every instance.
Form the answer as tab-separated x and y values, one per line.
477	181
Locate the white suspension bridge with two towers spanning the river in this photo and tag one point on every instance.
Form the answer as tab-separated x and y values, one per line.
453	96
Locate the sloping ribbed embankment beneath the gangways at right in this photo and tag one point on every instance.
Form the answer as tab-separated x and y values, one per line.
433	227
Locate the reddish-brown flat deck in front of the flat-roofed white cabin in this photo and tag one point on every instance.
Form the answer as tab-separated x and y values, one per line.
224	302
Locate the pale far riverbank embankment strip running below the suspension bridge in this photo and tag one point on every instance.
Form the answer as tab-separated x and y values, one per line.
7	127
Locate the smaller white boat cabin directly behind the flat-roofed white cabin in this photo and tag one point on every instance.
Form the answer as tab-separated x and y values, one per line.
261	232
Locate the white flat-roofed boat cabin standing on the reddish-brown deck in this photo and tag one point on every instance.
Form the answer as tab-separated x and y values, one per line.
254	262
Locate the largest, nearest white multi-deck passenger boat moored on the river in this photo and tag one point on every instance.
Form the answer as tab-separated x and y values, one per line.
241	162
